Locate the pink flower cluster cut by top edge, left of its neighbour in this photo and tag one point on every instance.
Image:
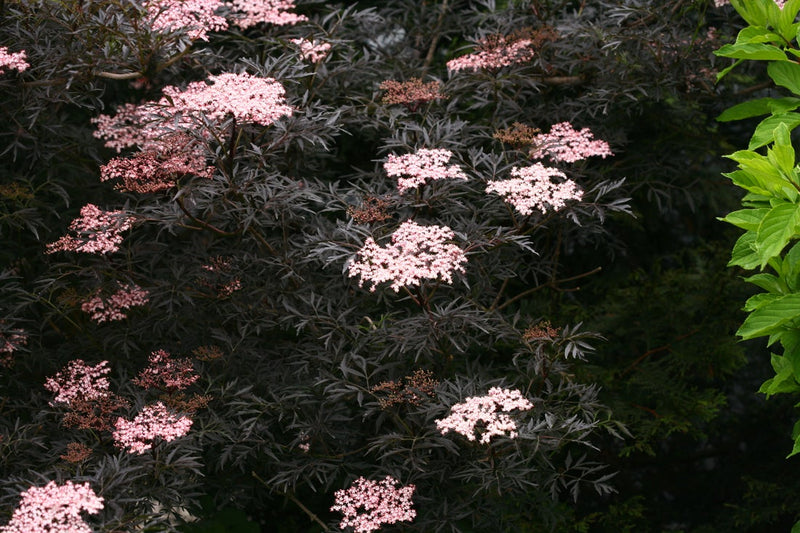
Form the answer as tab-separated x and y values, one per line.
195	16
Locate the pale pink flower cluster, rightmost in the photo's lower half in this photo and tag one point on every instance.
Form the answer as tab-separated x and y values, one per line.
487	415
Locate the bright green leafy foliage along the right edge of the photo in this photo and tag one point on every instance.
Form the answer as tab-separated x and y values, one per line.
771	218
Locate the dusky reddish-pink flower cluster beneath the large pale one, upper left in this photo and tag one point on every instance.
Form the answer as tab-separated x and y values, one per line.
157	168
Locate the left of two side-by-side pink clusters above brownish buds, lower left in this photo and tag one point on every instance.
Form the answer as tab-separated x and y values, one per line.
79	381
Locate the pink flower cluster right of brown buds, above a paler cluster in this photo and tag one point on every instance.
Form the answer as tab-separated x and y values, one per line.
566	144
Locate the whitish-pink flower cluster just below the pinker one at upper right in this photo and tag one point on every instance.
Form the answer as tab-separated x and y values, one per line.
532	188
